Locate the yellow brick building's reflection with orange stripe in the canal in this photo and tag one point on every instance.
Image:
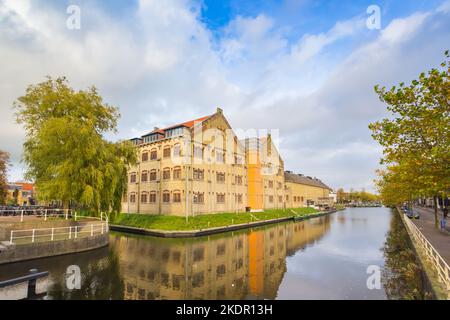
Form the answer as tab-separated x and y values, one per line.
243	265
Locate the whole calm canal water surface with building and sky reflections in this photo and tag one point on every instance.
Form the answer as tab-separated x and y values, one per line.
322	258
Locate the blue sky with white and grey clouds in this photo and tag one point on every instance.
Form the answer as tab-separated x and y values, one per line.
305	69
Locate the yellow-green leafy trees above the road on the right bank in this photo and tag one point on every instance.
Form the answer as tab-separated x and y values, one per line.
416	138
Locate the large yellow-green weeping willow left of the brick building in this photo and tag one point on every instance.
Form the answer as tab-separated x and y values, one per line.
65	151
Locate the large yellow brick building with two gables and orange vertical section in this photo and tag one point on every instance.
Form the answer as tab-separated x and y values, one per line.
200	166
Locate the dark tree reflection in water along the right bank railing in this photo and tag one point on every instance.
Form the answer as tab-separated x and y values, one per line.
403	277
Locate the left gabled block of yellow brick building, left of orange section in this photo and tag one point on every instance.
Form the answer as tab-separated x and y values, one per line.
191	168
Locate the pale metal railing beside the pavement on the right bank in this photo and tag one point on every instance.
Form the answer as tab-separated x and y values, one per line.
438	263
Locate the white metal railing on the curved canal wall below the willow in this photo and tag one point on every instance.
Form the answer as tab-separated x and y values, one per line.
27	236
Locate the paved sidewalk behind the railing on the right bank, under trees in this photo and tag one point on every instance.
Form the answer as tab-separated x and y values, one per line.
439	239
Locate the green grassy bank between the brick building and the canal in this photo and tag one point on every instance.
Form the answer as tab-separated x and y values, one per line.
173	223
